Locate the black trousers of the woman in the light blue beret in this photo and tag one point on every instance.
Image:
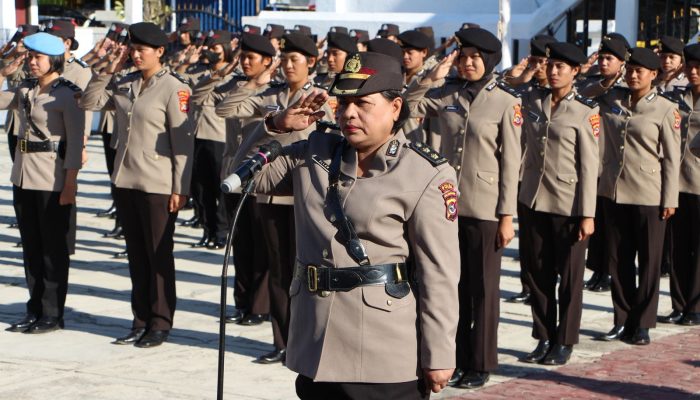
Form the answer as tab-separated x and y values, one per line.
43	227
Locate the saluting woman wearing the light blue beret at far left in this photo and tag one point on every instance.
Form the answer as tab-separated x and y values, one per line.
44	177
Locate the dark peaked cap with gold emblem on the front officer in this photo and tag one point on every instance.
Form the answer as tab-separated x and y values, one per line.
366	73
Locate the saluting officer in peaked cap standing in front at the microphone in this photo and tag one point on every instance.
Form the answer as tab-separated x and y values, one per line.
368	279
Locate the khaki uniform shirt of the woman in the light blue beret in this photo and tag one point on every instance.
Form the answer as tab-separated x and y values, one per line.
56	113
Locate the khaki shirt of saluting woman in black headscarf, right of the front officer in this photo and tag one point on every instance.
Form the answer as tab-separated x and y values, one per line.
481	140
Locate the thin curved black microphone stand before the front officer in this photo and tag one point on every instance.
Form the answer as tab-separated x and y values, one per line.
247	190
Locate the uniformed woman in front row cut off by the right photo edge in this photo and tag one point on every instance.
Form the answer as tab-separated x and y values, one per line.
685	275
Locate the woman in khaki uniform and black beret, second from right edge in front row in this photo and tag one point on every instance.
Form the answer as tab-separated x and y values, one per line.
640	186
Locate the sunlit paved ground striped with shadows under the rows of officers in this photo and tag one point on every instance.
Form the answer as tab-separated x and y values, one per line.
79	362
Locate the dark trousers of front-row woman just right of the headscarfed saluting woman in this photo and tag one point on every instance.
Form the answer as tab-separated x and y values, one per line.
555	252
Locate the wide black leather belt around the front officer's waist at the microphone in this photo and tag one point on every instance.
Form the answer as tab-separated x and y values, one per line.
325	279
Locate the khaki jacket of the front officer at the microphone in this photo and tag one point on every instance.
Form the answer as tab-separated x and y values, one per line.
401	210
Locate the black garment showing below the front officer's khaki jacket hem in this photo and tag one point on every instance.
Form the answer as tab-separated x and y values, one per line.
307	389
